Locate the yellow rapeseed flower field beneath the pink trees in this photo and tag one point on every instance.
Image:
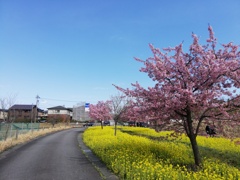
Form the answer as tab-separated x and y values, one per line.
143	154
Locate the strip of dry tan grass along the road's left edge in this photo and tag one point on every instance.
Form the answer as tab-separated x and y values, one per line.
23	138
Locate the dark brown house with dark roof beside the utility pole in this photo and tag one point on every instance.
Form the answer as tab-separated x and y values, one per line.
23	113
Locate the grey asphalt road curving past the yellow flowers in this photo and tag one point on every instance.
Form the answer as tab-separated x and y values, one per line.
53	157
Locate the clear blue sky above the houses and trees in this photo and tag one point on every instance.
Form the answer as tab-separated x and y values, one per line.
73	51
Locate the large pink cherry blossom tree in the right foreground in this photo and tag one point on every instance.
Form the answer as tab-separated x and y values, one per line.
191	87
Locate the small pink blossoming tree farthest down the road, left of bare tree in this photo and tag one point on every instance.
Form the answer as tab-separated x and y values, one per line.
101	111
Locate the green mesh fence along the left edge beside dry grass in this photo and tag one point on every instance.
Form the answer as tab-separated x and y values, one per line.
12	130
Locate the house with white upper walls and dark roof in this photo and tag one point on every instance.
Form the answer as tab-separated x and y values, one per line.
59	114
